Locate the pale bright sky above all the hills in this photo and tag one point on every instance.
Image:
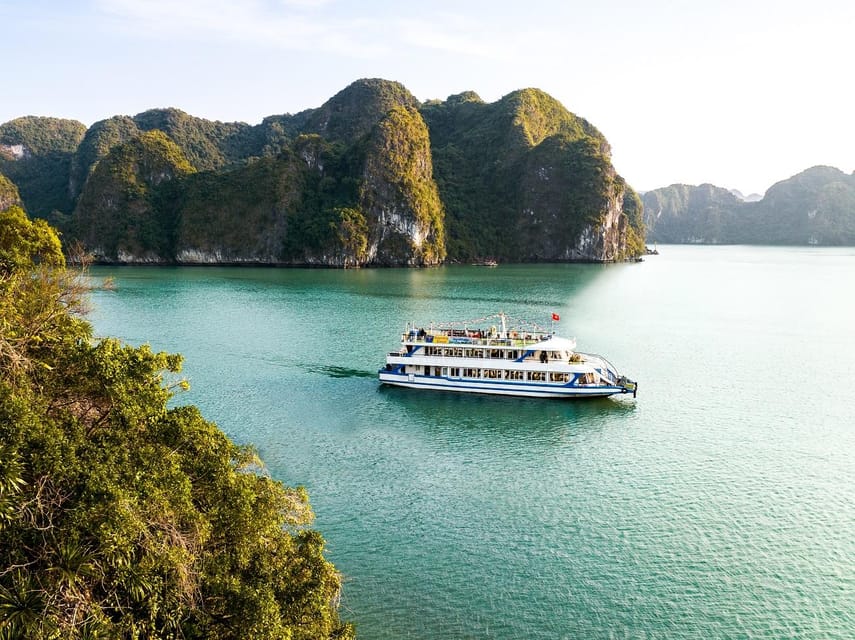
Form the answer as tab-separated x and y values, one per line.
737	93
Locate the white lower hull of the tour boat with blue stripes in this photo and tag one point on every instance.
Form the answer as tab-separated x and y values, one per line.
527	389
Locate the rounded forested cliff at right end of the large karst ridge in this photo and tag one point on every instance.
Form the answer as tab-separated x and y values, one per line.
521	179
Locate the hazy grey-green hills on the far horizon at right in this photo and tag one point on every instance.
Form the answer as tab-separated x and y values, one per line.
814	207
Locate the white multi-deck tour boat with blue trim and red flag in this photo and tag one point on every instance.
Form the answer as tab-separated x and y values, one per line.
495	355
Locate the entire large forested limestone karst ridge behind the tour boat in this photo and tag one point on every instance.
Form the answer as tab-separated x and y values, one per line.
371	177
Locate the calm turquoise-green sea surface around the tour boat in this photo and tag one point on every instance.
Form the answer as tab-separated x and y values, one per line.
718	504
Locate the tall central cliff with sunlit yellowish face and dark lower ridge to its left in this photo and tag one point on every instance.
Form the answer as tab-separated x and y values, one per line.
364	196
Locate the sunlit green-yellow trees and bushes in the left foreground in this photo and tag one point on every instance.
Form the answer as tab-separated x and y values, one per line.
121	517
